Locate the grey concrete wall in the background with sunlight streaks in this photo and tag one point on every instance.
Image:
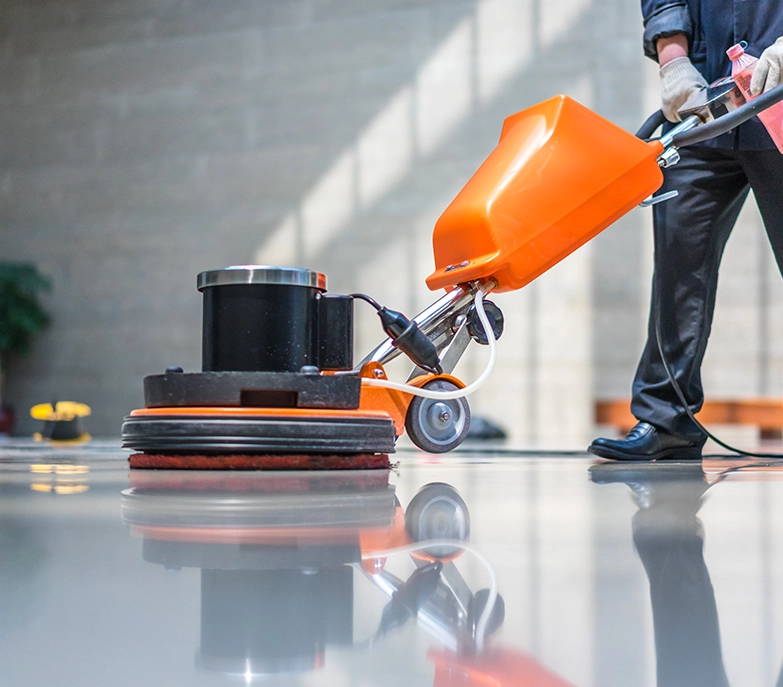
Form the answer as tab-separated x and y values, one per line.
144	141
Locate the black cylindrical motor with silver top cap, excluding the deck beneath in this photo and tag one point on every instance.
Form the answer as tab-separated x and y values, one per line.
273	319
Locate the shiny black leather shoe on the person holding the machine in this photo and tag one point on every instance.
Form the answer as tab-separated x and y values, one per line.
647	442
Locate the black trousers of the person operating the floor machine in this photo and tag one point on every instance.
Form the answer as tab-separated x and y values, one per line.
691	231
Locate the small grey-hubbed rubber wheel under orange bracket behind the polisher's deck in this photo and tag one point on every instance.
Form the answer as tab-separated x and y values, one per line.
438	426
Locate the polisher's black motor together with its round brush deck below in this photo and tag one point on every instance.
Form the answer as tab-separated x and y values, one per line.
268	334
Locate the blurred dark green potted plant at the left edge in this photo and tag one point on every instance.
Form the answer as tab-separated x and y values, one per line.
21	318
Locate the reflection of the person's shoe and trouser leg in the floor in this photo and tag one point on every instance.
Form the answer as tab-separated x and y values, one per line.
669	539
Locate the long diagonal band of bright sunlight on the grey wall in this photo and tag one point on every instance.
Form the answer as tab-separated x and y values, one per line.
470	67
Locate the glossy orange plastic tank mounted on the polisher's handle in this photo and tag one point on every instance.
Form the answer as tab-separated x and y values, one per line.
559	175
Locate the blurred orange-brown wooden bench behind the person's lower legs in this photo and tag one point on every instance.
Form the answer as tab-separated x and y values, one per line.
764	413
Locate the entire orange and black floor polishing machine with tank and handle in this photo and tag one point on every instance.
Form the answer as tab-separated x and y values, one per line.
279	388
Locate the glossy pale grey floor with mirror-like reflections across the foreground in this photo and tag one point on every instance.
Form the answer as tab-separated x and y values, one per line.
607	574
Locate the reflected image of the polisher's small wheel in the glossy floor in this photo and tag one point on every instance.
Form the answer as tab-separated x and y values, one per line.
438	512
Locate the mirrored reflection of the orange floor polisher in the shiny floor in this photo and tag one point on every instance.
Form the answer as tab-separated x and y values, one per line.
278	554
